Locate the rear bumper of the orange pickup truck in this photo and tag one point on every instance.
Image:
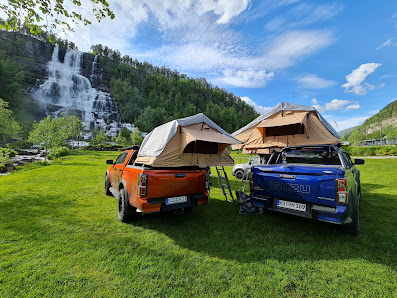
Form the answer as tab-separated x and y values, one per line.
159	204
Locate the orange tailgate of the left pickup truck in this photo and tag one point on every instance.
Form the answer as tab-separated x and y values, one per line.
172	183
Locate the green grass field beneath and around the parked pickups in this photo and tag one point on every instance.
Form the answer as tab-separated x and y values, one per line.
59	236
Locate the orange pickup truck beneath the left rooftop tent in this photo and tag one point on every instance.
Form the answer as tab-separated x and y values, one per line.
143	189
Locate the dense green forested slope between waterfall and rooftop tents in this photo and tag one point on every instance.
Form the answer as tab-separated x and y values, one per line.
149	96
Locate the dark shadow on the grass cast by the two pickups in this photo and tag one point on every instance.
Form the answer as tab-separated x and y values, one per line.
218	230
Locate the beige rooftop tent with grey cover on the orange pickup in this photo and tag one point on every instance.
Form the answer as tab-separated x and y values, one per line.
191	141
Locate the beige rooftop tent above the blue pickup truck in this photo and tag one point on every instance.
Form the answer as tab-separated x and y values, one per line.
285	125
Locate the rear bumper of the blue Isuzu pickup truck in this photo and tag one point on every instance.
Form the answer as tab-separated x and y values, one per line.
336	215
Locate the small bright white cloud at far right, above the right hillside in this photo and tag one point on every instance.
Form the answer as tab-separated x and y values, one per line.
358	76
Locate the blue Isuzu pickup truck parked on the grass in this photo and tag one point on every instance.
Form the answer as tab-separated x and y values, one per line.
319	182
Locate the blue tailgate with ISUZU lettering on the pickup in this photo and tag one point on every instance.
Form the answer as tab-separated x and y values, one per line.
306	184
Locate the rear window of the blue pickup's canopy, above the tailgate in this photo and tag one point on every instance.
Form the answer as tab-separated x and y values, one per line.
311	156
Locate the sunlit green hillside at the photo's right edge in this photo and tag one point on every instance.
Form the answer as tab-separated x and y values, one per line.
382	124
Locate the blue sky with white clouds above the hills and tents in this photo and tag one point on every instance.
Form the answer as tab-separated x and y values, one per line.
339	56
